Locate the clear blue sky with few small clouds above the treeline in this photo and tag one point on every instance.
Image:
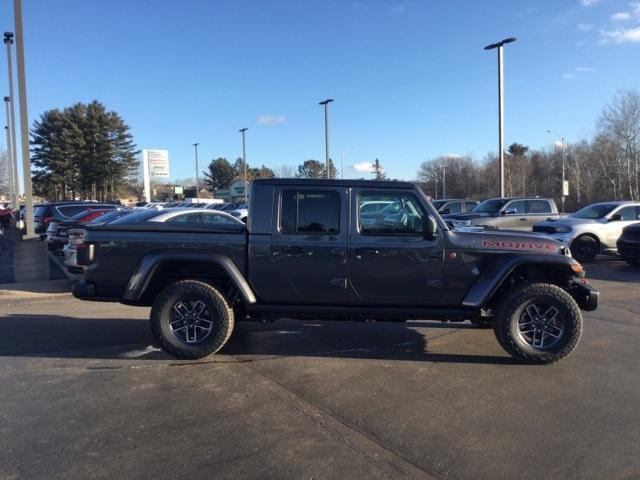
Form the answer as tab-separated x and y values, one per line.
410	78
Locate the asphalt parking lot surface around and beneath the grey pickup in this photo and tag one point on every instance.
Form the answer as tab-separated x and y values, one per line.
86	395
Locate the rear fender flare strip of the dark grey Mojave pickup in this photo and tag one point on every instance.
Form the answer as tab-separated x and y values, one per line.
147	267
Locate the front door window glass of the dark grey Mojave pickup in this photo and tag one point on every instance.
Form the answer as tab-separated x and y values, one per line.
402	215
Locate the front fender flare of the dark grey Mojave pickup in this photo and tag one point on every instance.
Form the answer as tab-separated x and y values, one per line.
494	274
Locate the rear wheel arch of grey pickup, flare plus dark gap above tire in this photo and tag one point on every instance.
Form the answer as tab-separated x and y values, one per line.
157	268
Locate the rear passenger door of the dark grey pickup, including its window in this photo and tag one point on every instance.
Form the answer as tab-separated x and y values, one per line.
309	244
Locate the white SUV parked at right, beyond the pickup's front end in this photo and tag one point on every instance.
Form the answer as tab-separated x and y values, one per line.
593	229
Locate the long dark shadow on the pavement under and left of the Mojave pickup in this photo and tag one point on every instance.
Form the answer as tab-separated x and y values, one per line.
58	336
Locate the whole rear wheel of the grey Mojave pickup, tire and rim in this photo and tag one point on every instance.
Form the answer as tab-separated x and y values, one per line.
191	319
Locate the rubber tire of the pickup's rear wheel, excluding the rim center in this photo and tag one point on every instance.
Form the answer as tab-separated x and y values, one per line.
191	290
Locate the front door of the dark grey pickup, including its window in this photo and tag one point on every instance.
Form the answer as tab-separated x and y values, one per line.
390	261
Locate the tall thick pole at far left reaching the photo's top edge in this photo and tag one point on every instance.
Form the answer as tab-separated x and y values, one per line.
24	119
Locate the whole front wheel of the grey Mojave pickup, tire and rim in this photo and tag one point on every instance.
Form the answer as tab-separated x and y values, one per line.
538	323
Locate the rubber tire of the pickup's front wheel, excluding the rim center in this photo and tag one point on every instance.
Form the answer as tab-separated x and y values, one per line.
510	311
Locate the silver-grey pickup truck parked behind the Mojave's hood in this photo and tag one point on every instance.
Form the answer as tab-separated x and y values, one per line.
506	213
